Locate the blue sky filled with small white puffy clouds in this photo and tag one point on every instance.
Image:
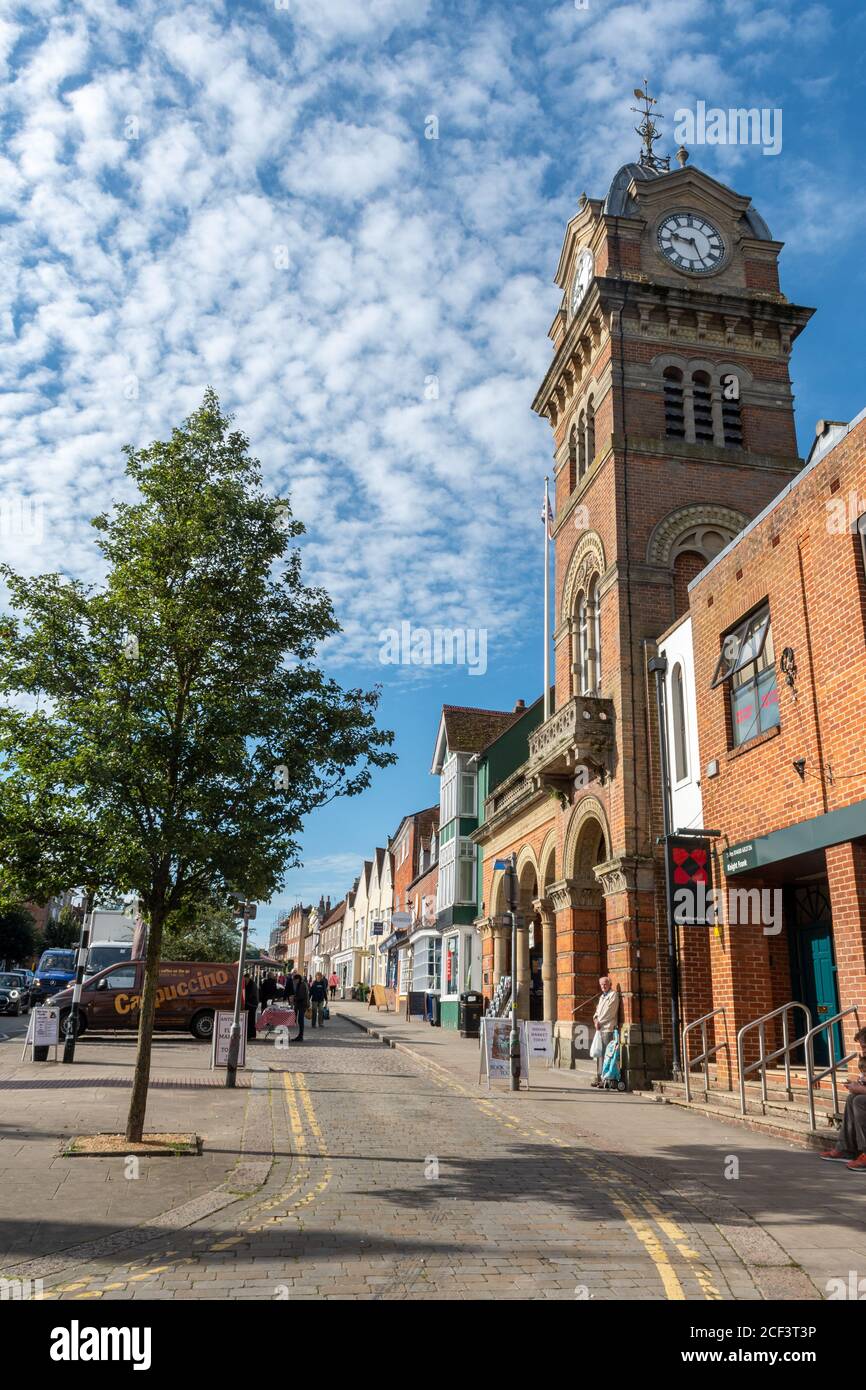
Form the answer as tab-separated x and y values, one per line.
245	197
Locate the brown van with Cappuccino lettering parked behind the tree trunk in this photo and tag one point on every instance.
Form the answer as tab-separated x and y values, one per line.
188	996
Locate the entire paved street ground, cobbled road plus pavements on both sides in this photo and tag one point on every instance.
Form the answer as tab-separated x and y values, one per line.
350	1170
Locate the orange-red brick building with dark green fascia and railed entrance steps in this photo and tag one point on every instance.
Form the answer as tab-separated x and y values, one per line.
779	637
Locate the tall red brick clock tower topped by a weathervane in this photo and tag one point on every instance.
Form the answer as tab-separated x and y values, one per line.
671	404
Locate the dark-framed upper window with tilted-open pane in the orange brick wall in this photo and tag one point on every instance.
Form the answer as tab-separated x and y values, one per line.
749	667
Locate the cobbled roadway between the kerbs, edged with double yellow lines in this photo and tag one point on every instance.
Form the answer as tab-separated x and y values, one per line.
394	1181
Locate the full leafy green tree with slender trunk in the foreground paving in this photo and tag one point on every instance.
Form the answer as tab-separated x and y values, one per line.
177	729
